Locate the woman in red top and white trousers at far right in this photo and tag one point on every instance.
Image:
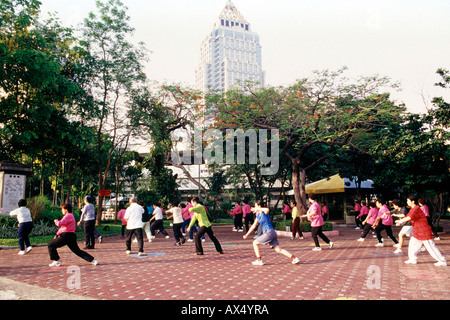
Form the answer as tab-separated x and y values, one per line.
422	234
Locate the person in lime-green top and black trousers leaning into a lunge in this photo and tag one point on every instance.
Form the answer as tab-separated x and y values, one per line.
205	227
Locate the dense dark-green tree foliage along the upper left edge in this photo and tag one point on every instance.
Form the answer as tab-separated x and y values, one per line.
35	86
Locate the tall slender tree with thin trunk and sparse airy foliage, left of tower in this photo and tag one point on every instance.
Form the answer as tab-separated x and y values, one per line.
114	70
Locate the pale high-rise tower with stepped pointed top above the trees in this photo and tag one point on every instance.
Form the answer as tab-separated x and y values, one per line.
230	55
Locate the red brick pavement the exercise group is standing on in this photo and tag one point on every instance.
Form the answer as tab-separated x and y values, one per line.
351	270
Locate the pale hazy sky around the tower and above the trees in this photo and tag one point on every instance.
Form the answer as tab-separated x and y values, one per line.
406	41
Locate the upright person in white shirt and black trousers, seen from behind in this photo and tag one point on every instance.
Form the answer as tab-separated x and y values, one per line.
133	216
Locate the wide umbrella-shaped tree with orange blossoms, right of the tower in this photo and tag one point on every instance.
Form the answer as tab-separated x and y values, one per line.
324	112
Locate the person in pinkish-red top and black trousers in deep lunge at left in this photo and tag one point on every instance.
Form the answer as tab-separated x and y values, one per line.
66	236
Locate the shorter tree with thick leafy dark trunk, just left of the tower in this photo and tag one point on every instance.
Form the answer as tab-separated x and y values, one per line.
157	115
